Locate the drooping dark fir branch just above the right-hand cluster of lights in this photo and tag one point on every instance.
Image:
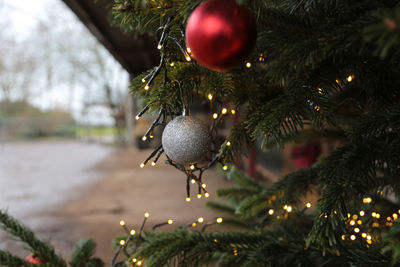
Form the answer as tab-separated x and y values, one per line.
349	173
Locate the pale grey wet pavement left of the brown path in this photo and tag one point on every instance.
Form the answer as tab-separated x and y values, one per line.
38	175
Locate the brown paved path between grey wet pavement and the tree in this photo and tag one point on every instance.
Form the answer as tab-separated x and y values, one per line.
126	192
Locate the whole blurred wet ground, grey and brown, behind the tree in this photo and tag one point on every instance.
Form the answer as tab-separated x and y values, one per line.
68	191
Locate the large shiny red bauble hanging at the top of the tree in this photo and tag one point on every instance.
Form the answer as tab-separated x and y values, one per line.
221	34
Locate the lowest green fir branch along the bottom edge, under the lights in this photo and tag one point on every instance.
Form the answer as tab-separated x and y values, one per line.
191	248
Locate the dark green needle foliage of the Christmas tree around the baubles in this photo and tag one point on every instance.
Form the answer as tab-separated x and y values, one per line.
329	71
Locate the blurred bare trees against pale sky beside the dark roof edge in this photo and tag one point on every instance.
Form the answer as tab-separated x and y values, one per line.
60	54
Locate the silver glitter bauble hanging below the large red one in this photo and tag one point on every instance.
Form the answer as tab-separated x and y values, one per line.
186	140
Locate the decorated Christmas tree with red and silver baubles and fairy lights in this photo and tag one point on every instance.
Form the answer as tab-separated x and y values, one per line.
326	70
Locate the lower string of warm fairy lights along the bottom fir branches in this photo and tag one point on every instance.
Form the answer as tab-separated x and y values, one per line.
359	227
